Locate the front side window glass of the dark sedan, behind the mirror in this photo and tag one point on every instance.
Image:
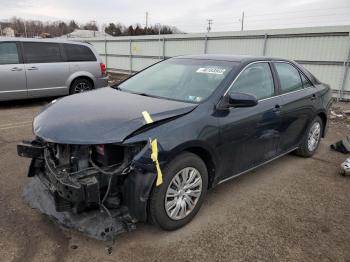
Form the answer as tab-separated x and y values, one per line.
256	79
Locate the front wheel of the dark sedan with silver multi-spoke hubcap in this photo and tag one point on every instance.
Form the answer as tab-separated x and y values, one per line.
188	163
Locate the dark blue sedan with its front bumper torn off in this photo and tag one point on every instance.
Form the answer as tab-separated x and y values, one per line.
149	148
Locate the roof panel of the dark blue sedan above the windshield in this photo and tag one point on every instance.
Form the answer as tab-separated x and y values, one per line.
231	58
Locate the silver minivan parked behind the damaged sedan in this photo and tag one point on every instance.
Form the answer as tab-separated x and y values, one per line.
37	68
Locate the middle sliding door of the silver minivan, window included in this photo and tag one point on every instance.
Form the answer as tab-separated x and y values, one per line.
47	72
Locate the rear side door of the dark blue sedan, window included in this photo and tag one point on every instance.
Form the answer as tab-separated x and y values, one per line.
298	98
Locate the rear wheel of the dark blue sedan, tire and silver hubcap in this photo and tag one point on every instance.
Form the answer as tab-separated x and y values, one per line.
311	139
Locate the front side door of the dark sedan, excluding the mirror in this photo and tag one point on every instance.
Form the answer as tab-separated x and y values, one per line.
250	136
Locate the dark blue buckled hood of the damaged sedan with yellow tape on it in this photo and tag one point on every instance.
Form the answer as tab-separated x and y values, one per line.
102	116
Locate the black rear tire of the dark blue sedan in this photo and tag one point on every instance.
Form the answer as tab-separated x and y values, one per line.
305	150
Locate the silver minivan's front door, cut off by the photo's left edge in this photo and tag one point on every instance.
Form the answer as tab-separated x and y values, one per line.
12	74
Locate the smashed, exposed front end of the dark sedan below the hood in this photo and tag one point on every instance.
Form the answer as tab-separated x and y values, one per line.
100	190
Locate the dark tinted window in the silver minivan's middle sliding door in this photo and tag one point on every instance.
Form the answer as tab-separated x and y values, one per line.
41	52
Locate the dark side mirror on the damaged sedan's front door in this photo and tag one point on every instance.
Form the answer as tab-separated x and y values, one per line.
236	99
